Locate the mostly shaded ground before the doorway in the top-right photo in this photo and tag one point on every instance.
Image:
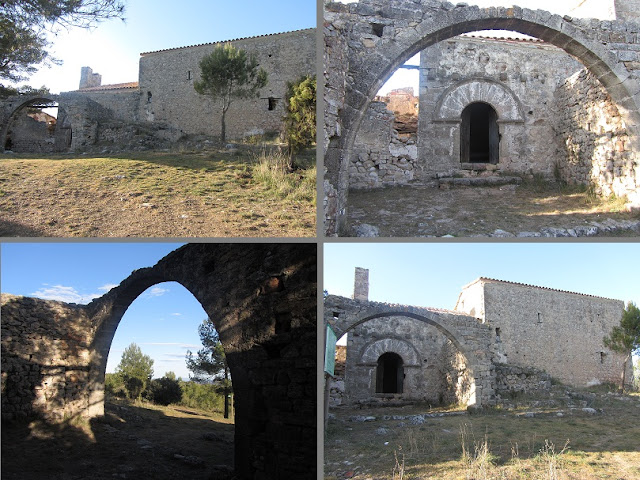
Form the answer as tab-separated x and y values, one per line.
409	211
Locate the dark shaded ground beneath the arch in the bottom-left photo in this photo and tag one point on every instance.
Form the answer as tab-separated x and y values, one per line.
131	441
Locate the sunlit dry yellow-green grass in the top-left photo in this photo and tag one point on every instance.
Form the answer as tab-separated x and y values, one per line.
155	194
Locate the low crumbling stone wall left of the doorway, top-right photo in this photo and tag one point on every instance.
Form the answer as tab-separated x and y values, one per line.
380	156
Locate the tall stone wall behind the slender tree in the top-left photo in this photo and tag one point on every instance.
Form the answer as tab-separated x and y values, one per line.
167	93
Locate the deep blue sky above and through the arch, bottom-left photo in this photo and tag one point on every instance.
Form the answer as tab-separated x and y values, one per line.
163	321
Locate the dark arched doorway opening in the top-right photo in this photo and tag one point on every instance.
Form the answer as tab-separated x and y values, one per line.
479	135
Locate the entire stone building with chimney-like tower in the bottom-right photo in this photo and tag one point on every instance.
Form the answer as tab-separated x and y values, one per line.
501	337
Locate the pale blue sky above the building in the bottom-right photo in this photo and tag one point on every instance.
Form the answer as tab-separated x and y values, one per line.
432	274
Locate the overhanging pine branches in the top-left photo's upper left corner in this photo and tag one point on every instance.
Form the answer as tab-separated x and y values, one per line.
25	23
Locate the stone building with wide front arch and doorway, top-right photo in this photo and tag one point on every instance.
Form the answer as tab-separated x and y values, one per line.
561	103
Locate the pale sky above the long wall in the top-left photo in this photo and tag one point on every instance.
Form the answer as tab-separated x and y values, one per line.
113	48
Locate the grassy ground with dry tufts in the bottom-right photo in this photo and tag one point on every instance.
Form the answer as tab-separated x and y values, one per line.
496	445
